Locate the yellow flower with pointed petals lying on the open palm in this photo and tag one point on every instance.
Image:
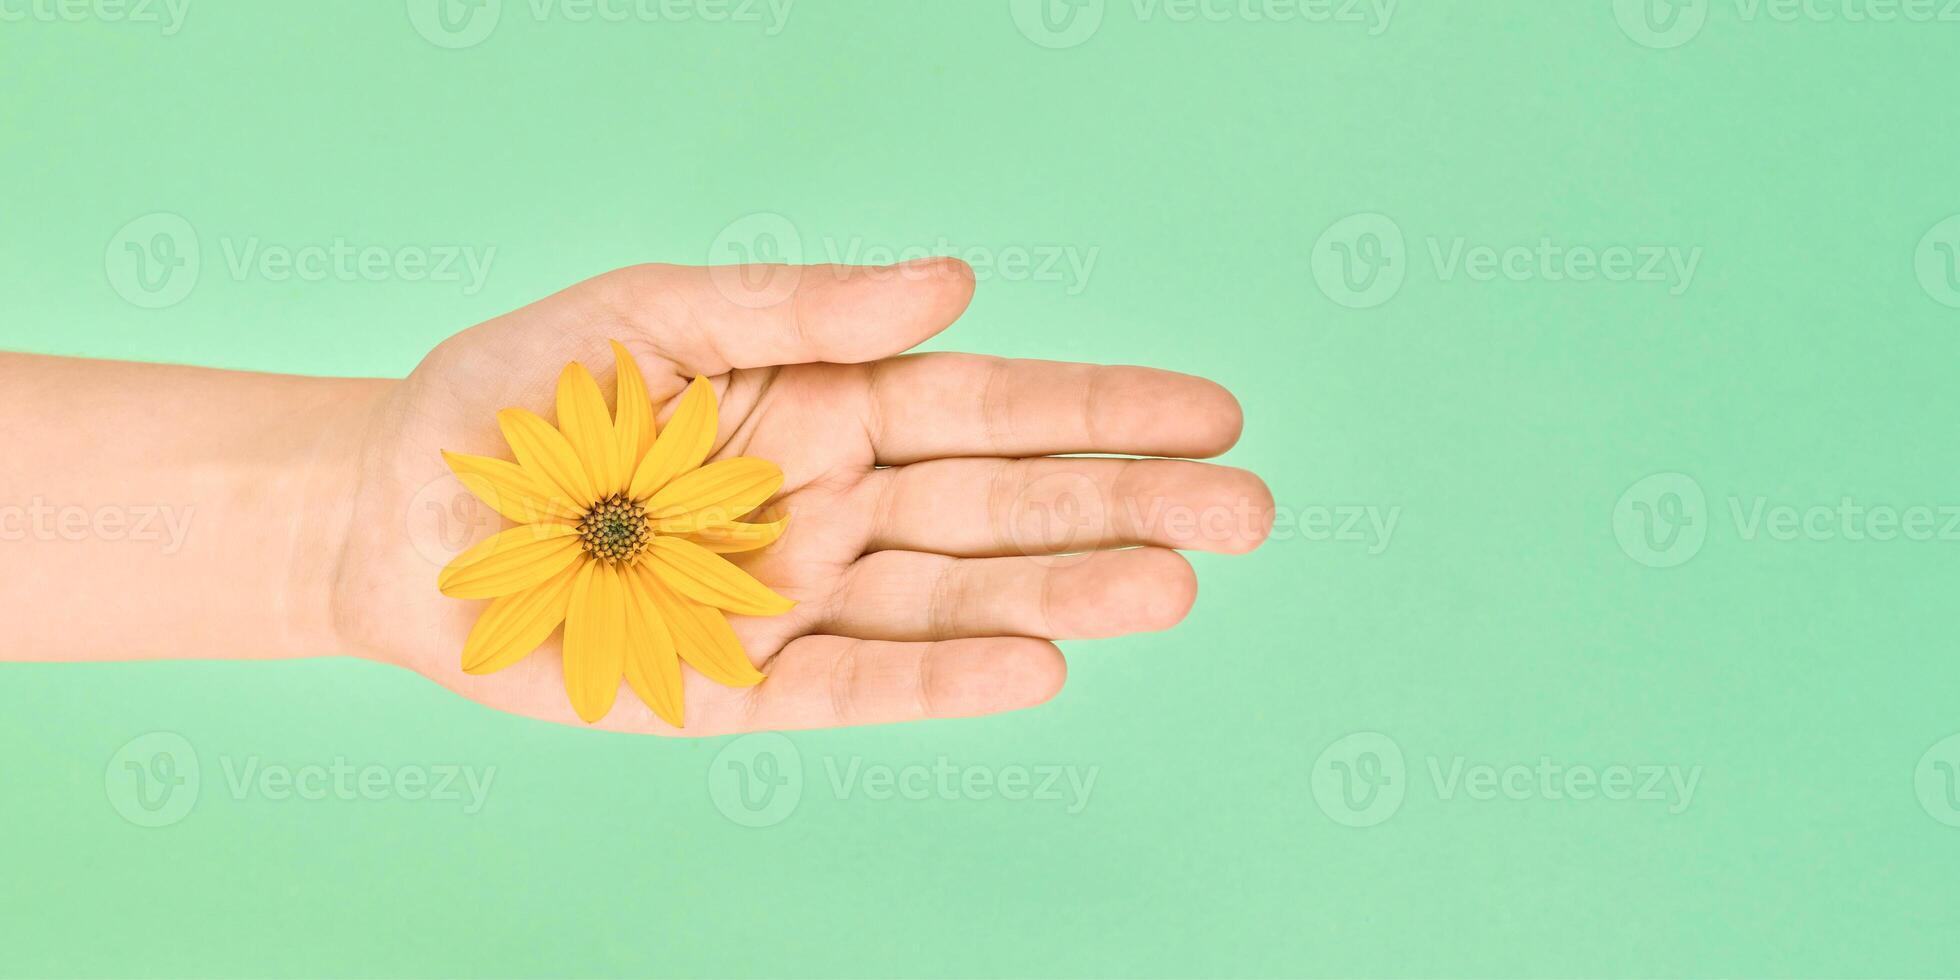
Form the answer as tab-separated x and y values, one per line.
620	538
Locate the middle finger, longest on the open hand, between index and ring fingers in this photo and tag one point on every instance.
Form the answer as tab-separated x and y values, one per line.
1053	507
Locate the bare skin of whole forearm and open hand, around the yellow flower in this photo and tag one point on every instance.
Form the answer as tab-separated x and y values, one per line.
942	534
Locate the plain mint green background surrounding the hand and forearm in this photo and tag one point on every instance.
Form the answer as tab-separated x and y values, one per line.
1199	162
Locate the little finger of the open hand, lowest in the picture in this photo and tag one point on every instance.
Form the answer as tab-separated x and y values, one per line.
838	681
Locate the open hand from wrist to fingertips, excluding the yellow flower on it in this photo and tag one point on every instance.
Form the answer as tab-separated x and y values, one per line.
926	493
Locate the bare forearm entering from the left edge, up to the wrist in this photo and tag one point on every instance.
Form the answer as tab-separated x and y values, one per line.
156	513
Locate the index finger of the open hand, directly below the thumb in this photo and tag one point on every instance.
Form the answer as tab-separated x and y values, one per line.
946	405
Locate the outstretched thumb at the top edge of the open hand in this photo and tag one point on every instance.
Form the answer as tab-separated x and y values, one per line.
710	320
